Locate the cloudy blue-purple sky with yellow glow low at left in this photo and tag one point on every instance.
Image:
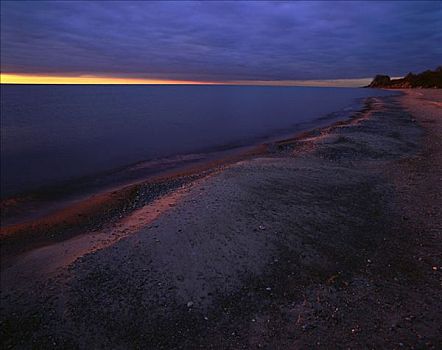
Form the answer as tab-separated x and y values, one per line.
219	42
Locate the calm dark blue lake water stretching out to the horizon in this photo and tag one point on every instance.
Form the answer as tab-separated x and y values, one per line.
51	134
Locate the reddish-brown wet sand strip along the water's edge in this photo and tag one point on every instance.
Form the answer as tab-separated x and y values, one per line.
86	213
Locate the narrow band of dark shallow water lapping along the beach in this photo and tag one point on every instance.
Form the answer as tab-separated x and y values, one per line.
45	201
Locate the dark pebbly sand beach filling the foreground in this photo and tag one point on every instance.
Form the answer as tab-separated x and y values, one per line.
330	240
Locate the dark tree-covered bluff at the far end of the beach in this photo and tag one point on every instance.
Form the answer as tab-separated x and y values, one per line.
425	80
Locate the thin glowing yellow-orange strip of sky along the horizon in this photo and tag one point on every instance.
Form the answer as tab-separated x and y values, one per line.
34	79
